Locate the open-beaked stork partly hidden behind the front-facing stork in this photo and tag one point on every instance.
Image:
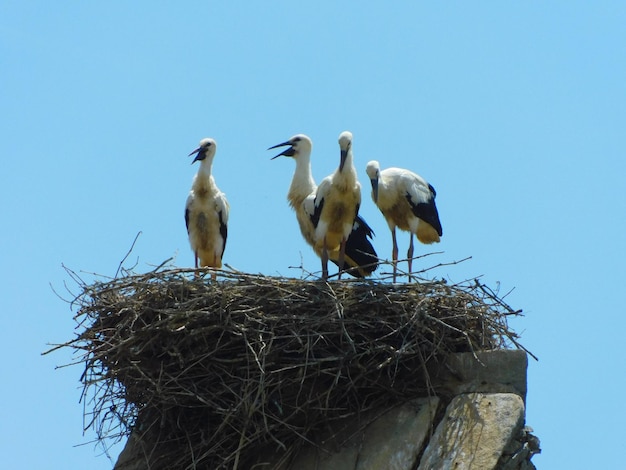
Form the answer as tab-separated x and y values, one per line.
360	256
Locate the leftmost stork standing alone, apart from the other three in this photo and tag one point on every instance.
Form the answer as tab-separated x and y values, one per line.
206	211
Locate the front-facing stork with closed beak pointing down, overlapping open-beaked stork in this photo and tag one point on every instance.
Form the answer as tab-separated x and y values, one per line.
336	205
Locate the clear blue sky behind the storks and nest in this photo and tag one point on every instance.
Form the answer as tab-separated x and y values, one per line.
514	111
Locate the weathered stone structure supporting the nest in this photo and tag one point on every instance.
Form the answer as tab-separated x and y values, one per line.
474	420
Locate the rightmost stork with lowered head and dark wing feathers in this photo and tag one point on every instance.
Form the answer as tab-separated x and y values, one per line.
406	201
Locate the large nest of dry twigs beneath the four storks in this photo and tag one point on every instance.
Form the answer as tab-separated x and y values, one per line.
209	372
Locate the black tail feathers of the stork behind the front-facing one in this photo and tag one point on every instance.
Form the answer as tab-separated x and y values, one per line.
361	259
